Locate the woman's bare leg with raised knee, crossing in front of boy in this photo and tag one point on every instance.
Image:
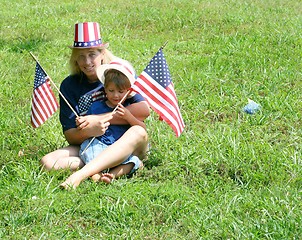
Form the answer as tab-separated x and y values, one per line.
135	140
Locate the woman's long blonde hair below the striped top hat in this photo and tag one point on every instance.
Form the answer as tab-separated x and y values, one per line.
74	67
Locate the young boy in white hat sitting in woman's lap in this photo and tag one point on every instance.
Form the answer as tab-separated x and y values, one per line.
117	78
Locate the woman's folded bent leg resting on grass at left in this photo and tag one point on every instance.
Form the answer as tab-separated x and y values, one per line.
64	158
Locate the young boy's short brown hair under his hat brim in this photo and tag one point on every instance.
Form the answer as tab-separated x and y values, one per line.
118	78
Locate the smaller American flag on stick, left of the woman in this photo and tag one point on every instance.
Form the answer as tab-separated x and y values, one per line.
44	103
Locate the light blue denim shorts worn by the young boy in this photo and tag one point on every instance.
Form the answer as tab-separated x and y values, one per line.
96	147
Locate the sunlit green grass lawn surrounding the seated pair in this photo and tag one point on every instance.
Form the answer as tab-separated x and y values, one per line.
229	176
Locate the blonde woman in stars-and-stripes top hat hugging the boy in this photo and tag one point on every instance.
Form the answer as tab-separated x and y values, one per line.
80	89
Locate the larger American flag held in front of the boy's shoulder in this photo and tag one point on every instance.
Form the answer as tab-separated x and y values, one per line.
156	86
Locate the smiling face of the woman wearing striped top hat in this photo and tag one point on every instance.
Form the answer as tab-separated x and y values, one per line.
88	60
